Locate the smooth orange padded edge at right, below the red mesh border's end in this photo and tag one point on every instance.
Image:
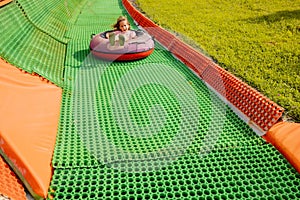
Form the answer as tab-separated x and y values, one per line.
285	136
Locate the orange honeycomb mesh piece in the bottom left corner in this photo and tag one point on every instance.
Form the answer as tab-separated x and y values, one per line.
9	185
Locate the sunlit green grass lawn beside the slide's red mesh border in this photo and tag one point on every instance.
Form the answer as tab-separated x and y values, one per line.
256	40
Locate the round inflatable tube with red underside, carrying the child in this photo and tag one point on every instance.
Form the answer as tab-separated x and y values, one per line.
136	48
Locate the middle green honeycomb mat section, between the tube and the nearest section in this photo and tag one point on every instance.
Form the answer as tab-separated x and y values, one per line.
90	113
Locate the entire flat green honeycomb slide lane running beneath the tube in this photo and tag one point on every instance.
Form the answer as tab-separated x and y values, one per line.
151	129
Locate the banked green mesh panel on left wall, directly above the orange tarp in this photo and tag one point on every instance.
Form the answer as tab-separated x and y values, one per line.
29	48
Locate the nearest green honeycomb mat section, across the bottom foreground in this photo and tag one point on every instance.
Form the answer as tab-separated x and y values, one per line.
257	172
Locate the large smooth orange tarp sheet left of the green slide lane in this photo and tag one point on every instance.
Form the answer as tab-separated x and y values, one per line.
29	114
